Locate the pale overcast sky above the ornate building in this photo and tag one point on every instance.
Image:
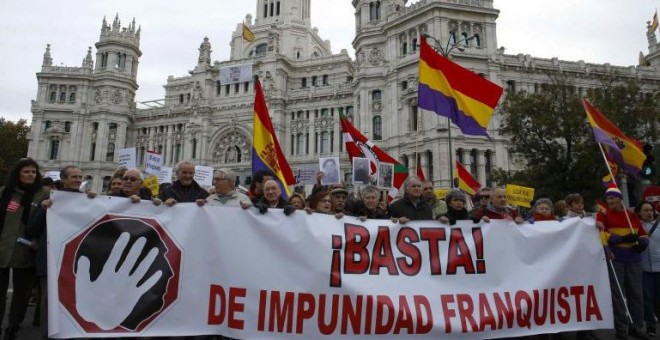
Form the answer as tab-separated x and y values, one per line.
597	31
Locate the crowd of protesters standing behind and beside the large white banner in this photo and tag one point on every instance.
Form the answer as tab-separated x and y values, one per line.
631	243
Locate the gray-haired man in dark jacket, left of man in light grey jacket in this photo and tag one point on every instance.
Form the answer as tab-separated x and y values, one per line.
185	188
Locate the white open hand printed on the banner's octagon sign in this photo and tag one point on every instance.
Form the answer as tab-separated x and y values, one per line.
109	300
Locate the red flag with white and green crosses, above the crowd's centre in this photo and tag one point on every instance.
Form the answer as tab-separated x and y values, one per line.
357	145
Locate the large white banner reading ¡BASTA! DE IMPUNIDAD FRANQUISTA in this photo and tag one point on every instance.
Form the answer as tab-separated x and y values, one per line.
219	270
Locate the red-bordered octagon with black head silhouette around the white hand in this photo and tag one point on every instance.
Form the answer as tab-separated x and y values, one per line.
170	261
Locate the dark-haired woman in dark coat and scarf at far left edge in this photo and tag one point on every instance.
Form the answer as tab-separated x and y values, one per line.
20	196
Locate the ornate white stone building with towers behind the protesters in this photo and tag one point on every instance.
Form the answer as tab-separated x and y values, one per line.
83	115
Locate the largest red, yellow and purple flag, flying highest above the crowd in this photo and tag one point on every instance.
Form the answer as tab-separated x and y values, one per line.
452	91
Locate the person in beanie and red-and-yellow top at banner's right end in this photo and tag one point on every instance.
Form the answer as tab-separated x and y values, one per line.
626	238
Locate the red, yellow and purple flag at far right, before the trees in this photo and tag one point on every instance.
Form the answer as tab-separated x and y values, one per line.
619	148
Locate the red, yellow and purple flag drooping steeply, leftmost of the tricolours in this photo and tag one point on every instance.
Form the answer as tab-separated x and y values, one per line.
266	151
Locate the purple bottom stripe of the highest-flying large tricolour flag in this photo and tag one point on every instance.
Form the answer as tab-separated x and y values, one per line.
431	100
